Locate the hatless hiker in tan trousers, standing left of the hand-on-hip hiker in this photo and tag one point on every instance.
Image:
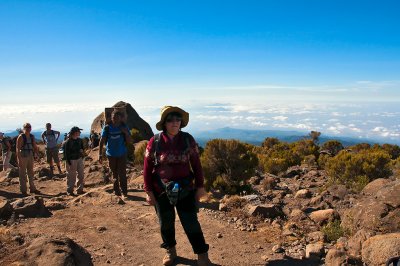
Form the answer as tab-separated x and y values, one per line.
27	153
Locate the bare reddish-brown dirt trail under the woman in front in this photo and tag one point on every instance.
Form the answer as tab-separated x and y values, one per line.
128	234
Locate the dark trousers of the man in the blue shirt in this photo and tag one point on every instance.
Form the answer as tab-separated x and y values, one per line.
118	169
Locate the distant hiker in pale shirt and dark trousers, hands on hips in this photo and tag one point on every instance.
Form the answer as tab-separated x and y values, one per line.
50	138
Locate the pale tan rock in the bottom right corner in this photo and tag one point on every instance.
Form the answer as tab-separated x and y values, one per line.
378	249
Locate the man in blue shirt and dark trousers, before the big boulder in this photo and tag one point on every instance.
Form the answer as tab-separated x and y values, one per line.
116	137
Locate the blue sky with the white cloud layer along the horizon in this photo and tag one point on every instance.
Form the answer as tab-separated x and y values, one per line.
68	59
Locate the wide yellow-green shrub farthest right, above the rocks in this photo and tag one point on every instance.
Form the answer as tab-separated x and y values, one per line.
358	169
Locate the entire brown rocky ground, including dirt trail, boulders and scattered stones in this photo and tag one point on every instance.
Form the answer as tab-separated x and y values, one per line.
283	223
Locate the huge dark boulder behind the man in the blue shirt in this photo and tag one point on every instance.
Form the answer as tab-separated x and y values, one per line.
133	120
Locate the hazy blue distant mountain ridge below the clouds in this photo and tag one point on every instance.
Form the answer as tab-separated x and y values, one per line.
256	137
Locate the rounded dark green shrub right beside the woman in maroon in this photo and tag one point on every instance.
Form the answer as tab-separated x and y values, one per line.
227	164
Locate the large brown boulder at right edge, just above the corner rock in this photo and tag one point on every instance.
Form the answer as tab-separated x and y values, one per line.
377	210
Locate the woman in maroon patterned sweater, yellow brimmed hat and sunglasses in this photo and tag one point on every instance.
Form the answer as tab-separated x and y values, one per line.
171	184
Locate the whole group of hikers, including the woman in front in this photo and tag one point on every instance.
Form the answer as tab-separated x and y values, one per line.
173	176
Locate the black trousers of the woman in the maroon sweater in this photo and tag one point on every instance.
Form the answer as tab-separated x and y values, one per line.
187	212
